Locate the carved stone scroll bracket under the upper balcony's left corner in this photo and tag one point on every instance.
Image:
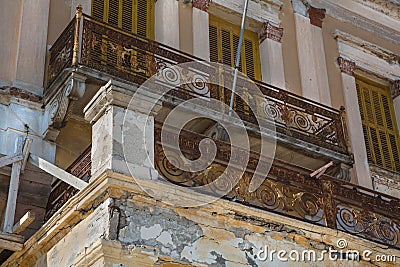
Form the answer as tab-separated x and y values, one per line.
58	109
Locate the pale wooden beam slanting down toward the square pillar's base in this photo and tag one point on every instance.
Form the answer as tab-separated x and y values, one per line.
57	172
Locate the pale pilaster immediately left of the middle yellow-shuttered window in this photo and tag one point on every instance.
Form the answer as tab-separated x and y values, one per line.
200	21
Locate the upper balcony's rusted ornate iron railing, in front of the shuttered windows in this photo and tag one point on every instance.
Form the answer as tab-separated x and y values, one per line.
105	49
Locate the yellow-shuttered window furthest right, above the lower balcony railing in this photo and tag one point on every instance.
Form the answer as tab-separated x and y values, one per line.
379	124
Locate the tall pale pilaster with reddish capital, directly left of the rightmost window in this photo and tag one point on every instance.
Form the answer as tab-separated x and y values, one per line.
356	135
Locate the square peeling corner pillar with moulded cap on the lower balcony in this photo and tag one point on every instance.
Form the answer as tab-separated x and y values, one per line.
122	134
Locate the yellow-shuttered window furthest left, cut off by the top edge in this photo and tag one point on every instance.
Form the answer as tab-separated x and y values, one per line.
136	16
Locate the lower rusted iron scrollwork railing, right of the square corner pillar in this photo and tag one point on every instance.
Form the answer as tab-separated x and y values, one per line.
288	190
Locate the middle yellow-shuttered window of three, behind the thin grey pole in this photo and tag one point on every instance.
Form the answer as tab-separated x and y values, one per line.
224	40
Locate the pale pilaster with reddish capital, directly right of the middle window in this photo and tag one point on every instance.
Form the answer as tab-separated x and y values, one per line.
271	56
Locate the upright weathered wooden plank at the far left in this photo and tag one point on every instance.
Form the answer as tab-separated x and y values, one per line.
13	189
